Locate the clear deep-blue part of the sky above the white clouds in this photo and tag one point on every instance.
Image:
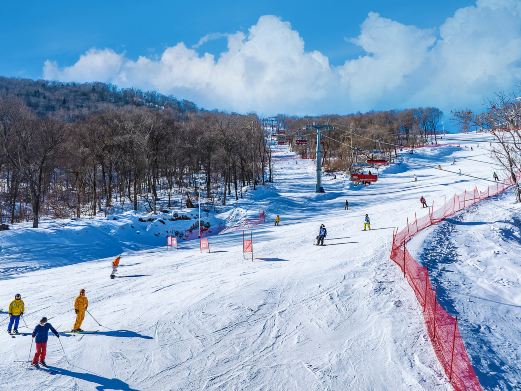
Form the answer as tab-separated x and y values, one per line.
33	31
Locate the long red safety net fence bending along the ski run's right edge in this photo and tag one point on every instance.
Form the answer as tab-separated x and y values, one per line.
441	326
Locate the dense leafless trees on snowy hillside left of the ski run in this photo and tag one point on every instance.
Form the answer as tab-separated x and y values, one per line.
84	160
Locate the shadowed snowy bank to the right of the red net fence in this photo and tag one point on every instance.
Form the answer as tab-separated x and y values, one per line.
474	263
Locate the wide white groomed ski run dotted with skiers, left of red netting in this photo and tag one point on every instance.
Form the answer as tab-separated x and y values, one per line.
299	317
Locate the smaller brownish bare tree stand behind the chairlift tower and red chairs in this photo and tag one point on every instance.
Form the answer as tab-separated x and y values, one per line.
352	139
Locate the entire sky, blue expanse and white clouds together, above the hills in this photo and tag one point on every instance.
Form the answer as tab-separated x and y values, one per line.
335	49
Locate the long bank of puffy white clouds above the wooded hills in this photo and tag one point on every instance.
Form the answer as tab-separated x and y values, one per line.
474	53
